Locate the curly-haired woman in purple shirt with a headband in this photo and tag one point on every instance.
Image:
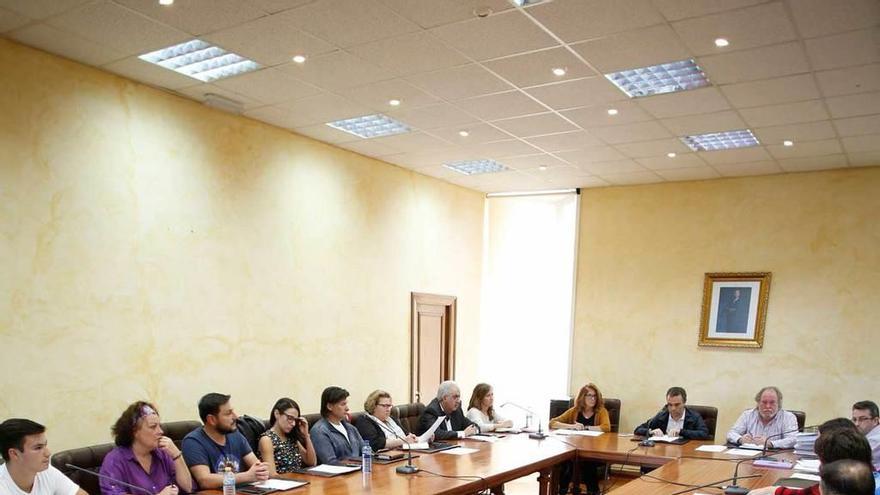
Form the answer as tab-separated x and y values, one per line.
144	457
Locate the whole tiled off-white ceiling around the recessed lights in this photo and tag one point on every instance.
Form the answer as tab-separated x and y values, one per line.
804	70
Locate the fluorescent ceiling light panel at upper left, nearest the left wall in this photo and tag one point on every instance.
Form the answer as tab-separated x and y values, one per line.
200	60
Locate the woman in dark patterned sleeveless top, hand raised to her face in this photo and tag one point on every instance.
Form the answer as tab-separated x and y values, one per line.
286	446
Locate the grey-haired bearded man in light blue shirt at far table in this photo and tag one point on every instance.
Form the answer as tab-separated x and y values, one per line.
767	423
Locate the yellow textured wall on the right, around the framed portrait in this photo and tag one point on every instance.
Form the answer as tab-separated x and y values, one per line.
643	254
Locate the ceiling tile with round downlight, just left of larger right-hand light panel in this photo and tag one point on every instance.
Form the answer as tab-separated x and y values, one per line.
532	69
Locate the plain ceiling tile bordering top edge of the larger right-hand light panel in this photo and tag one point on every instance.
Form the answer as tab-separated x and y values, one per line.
640	48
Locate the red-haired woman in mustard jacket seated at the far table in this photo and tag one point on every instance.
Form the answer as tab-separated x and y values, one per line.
588	413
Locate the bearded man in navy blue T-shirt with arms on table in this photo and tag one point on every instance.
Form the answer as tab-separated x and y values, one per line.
210	449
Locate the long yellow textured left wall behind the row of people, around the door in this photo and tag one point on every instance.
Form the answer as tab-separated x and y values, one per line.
155	248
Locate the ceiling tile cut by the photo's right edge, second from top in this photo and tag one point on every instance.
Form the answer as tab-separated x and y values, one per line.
844	50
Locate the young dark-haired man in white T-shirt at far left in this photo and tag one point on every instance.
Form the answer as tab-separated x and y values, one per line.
27	470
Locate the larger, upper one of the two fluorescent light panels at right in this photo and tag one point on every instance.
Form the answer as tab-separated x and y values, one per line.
658	79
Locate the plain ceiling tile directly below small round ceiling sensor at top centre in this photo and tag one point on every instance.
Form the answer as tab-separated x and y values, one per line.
498	35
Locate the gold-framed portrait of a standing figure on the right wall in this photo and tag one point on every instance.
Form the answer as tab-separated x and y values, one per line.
734	309
